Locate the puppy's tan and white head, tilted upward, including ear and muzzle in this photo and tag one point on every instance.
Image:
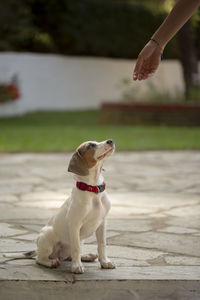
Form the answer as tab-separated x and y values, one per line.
88	155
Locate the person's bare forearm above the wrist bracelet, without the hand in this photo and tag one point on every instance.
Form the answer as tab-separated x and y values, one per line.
178	16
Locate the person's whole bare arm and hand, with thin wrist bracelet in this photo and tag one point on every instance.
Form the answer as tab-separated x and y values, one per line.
149	58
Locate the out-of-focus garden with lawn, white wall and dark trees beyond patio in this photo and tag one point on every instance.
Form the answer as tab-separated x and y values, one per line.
66	76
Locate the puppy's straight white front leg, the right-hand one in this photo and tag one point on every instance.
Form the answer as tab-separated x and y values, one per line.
101	242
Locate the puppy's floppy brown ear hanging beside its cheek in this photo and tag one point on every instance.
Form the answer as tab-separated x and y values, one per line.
77	165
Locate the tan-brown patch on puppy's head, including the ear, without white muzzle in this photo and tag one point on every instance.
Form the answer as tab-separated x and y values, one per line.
83	159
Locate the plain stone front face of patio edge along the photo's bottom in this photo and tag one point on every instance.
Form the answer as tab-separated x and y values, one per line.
101	290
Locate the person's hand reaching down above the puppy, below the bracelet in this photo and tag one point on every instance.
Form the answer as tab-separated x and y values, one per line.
148	61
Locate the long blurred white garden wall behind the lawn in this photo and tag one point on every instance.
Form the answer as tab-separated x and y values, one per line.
55	82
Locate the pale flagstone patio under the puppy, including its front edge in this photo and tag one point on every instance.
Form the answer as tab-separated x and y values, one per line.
153	228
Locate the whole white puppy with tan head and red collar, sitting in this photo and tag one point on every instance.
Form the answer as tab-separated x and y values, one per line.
82	214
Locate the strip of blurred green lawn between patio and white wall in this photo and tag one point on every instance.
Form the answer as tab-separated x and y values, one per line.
64	131
